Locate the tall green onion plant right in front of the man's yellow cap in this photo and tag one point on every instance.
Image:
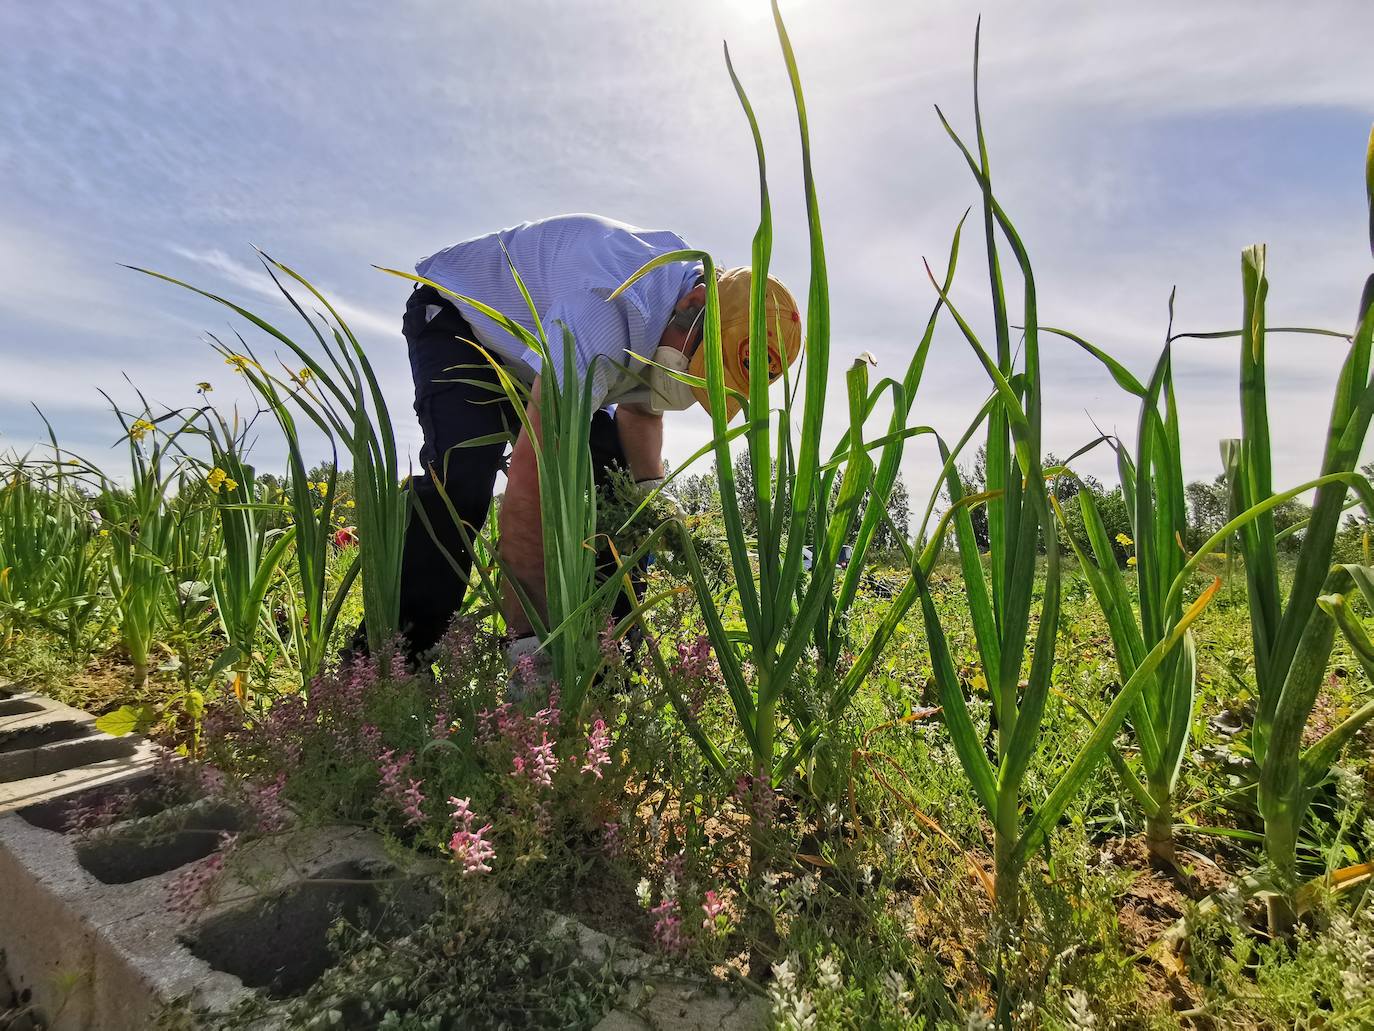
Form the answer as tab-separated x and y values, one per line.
782	700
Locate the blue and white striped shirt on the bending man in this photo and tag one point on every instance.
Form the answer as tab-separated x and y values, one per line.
571	265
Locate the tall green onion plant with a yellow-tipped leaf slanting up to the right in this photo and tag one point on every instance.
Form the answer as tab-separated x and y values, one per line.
1020	518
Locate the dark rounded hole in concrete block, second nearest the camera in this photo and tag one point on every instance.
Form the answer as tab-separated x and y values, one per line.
156	845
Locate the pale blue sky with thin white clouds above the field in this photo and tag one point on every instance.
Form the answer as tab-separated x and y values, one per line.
1137	149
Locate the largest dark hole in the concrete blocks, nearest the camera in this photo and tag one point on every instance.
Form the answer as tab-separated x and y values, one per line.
281	944
